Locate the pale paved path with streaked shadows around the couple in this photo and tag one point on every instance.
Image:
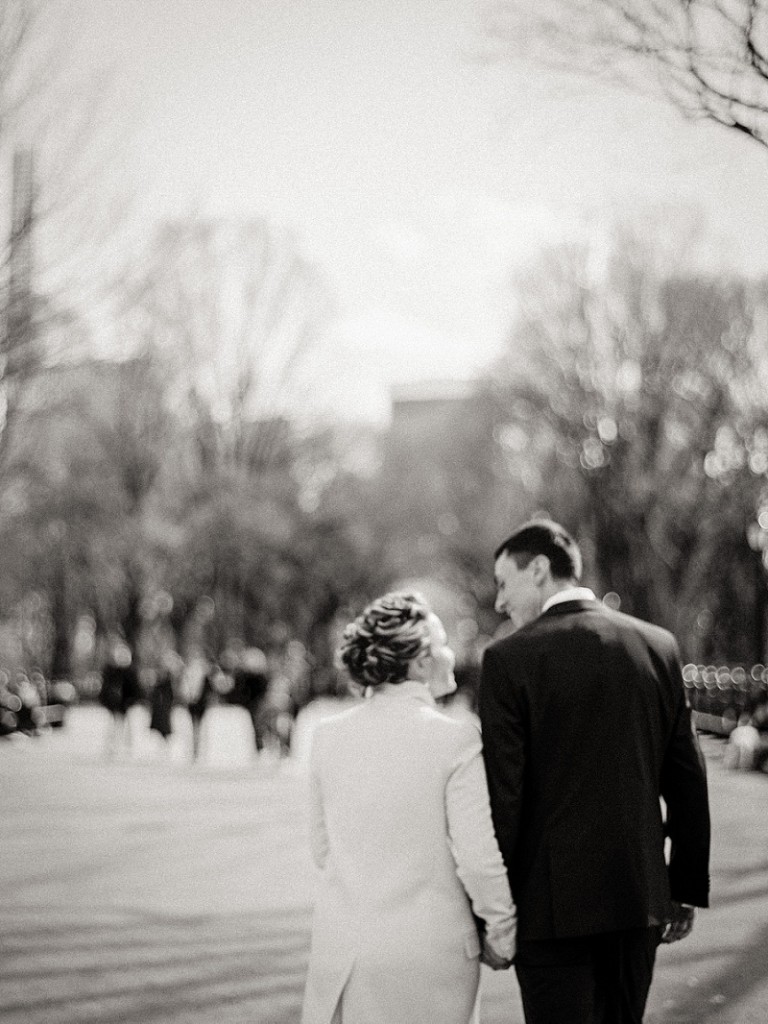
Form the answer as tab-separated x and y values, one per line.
150	890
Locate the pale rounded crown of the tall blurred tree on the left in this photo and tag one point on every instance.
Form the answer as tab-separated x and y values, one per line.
234	310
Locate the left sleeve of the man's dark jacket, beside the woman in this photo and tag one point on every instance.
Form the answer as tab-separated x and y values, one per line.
503	720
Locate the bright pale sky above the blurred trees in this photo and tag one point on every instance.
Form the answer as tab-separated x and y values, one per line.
416	177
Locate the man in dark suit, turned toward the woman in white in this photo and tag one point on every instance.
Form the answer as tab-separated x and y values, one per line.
585	728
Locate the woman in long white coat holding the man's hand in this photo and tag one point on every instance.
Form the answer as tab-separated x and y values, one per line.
402	831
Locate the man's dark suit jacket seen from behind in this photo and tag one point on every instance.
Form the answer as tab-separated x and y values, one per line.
585	727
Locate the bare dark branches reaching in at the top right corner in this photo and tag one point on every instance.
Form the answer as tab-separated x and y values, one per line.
710	58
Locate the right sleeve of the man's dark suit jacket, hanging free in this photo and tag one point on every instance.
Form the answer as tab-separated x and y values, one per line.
684	786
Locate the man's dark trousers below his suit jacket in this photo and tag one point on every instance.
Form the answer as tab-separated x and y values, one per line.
596	979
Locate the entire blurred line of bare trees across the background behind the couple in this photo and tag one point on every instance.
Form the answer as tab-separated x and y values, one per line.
168	498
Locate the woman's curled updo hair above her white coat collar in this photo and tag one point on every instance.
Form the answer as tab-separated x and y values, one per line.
379	647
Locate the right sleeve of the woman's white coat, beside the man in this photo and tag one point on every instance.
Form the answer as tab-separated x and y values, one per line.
475	847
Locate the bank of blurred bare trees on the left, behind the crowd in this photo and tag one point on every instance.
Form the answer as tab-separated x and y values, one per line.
164	496
